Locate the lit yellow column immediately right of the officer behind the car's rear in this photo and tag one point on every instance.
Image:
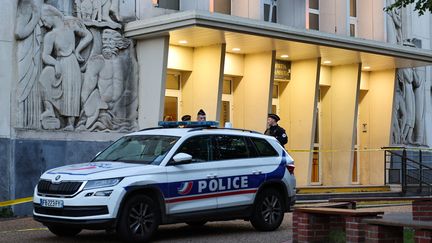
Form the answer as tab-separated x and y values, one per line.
297	111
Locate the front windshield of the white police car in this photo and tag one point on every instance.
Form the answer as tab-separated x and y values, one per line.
142	149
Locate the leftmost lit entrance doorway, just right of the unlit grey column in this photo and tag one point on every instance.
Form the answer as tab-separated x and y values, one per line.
172	106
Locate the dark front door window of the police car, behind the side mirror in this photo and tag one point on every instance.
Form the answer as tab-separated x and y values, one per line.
198	147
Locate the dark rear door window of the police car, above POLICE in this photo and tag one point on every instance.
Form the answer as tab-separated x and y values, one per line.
232	147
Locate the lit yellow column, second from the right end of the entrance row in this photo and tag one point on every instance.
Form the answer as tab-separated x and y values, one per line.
338	119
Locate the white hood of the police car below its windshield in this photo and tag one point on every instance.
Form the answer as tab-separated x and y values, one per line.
99	170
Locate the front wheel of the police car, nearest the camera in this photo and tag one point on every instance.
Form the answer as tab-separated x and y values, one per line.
139	219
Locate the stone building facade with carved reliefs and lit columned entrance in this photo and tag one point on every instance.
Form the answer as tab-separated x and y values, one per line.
76	75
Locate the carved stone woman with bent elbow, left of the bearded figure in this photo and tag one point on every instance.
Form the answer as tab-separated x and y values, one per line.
60	52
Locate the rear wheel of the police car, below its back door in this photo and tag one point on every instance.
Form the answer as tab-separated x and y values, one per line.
268	211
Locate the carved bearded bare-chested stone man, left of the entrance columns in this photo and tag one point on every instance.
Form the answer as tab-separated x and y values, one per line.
105	85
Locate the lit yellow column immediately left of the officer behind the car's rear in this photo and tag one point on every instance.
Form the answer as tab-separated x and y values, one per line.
253	92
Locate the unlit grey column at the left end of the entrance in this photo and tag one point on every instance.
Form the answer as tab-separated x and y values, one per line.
152	59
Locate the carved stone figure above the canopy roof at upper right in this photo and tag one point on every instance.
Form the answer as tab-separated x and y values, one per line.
394	25
